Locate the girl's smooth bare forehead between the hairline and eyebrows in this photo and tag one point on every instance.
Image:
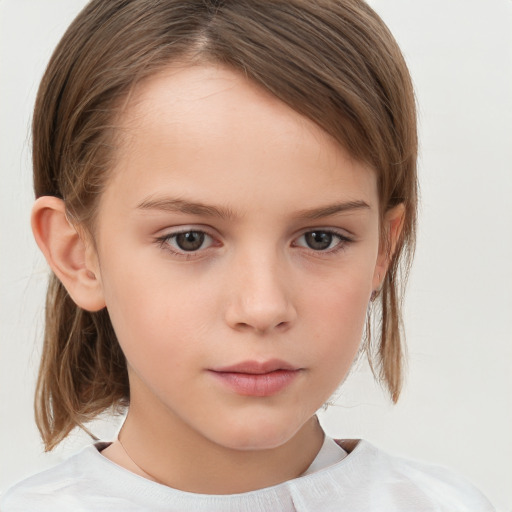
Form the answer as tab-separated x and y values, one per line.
210	128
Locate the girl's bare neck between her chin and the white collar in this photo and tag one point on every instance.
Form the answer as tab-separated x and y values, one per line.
169	453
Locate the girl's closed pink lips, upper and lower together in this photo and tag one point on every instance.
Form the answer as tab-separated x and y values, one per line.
255	378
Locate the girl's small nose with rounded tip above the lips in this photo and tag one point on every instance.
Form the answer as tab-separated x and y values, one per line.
260	298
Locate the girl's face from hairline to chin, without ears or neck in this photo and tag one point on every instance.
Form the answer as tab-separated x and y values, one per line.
237	249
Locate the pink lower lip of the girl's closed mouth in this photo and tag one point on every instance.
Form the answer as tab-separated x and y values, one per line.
251	384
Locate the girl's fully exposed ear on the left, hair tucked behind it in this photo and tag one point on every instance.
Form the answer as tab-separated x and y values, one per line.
70	256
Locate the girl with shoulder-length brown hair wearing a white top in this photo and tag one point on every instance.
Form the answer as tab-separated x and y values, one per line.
226	192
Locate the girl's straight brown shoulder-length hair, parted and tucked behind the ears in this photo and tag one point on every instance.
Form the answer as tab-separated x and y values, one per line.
333	61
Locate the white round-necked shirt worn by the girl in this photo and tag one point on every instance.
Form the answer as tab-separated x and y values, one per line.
365	479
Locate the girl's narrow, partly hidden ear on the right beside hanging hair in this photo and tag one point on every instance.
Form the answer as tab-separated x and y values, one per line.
392	228
